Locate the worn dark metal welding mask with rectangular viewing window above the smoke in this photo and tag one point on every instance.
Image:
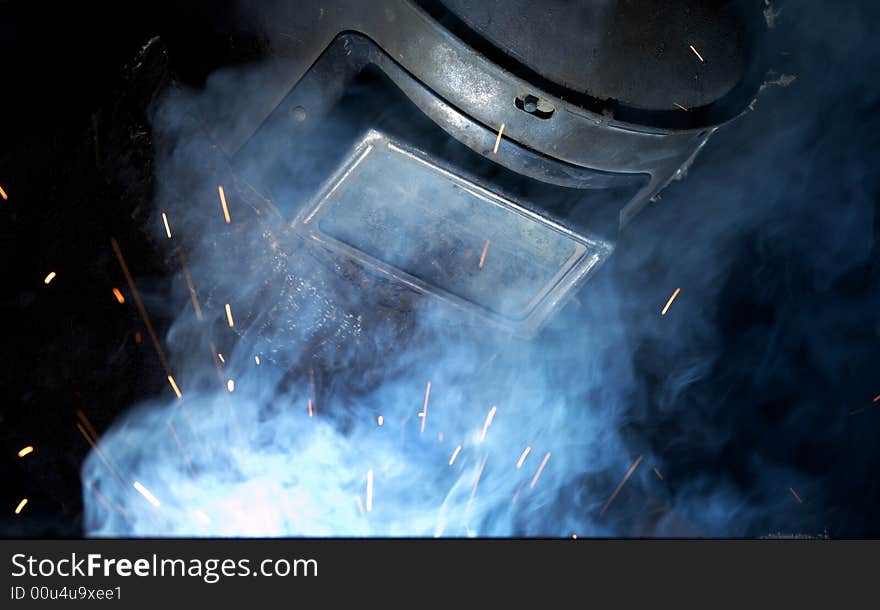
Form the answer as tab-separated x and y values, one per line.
487	152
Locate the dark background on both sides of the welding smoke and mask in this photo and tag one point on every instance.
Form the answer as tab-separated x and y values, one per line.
772	237
